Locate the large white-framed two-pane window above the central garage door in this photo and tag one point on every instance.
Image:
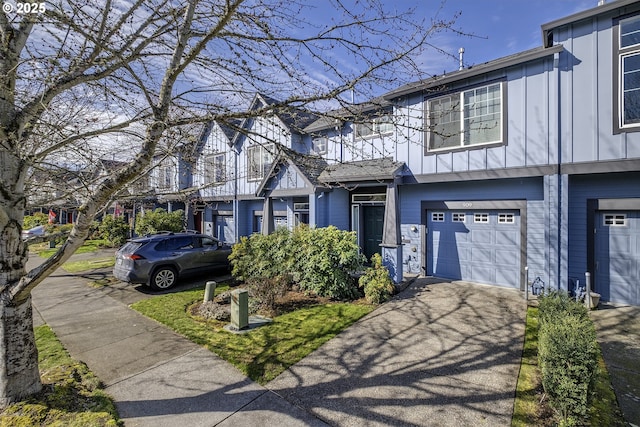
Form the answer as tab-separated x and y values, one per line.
467	118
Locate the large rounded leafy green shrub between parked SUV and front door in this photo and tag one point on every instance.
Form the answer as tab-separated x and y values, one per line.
320	260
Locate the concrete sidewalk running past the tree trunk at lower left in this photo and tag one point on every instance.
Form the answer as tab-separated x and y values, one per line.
156	377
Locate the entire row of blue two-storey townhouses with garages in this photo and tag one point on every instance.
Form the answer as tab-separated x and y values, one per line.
532	160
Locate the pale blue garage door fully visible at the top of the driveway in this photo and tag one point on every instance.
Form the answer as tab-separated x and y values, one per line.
478	246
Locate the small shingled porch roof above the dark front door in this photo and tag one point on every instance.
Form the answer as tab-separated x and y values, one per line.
384	169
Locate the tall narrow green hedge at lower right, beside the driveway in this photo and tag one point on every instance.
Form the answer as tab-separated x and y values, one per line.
568	356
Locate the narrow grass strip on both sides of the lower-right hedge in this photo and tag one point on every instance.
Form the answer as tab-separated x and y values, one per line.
604	410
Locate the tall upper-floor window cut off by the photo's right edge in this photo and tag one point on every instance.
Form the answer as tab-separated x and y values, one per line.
628	47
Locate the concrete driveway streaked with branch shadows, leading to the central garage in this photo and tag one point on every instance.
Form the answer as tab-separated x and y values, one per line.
439	354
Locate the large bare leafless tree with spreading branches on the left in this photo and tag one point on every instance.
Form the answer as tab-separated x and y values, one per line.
80	81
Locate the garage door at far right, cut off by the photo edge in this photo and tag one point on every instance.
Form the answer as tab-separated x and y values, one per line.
617	254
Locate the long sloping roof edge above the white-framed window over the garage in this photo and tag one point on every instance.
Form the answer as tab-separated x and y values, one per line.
476	70
